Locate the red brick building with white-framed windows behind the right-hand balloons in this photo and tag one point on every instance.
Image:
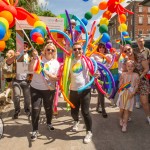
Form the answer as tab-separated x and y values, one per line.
138	23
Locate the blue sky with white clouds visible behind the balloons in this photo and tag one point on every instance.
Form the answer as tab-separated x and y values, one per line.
76	7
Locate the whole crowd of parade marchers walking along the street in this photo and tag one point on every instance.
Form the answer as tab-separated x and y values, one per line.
38	90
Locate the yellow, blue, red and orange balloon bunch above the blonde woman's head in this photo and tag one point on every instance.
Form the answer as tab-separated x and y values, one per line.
39	32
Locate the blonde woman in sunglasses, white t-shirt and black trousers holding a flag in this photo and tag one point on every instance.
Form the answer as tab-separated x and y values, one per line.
43	86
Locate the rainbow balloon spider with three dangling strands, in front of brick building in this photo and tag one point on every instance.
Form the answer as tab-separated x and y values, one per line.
112	6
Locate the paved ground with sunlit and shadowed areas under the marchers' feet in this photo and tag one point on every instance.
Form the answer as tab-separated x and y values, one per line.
107	134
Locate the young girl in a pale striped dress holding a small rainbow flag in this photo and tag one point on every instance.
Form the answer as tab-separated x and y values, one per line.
126	96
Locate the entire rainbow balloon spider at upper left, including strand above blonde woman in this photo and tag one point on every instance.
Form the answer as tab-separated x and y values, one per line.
9	13
